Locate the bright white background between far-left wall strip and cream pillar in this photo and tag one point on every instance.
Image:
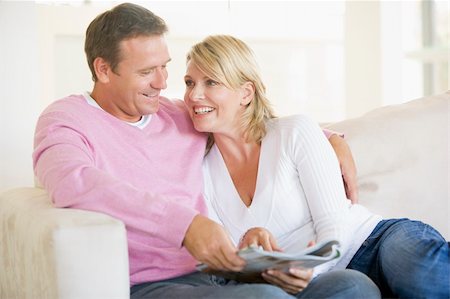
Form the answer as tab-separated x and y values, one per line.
296	55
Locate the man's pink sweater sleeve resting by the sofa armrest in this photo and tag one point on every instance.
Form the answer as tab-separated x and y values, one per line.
64	162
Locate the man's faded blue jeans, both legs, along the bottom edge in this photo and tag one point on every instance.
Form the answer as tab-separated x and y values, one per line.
334	284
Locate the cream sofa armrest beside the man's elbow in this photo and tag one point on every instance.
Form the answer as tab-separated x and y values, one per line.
47	252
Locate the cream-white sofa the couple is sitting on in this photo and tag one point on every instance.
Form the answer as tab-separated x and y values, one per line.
401	153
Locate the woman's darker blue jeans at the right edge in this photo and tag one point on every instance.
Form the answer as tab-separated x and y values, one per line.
406	259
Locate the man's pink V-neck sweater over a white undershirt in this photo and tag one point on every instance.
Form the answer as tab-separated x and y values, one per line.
149	178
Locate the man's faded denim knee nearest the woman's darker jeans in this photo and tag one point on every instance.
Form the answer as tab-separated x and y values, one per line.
341	284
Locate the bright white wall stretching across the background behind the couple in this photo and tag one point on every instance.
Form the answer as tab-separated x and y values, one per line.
312	60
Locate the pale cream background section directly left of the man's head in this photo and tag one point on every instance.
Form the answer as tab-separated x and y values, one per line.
62	62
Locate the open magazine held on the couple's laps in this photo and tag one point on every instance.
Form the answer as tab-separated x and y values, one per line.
259	260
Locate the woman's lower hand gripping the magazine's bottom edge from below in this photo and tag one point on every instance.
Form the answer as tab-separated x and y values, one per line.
292	282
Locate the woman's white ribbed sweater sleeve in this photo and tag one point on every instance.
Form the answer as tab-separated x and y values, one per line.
320	177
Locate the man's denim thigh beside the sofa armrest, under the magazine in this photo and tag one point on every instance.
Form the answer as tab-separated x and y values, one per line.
200	285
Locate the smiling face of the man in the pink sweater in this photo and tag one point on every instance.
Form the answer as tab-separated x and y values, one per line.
134	87
